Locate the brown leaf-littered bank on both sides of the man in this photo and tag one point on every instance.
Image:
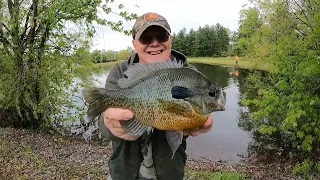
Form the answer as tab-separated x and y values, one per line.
31	154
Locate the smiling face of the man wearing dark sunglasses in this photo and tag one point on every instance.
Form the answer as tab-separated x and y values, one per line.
154	45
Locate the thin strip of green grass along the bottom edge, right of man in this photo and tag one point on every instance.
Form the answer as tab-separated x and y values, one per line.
204	175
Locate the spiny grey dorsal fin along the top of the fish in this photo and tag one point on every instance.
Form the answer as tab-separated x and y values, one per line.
138	71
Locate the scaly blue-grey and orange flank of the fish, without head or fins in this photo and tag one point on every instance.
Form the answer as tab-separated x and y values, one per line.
142	99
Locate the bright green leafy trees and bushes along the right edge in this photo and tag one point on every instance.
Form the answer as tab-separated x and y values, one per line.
287	100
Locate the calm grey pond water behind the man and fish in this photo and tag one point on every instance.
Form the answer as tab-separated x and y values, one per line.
226	141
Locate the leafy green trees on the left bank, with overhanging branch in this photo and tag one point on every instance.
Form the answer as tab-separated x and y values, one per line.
40	43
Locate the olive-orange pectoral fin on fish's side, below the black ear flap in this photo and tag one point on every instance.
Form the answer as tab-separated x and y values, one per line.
175	107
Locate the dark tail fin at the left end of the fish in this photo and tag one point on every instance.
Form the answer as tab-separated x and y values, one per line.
96	98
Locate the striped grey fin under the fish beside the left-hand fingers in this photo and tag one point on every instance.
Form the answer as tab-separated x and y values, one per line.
135	128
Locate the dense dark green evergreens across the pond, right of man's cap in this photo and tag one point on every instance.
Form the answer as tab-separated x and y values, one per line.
207	41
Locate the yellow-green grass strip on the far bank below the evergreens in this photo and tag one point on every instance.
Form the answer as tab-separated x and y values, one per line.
229	61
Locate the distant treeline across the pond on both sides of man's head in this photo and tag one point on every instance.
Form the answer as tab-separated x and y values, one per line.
207	41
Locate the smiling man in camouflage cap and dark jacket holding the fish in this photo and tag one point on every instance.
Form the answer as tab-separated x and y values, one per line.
133	158
